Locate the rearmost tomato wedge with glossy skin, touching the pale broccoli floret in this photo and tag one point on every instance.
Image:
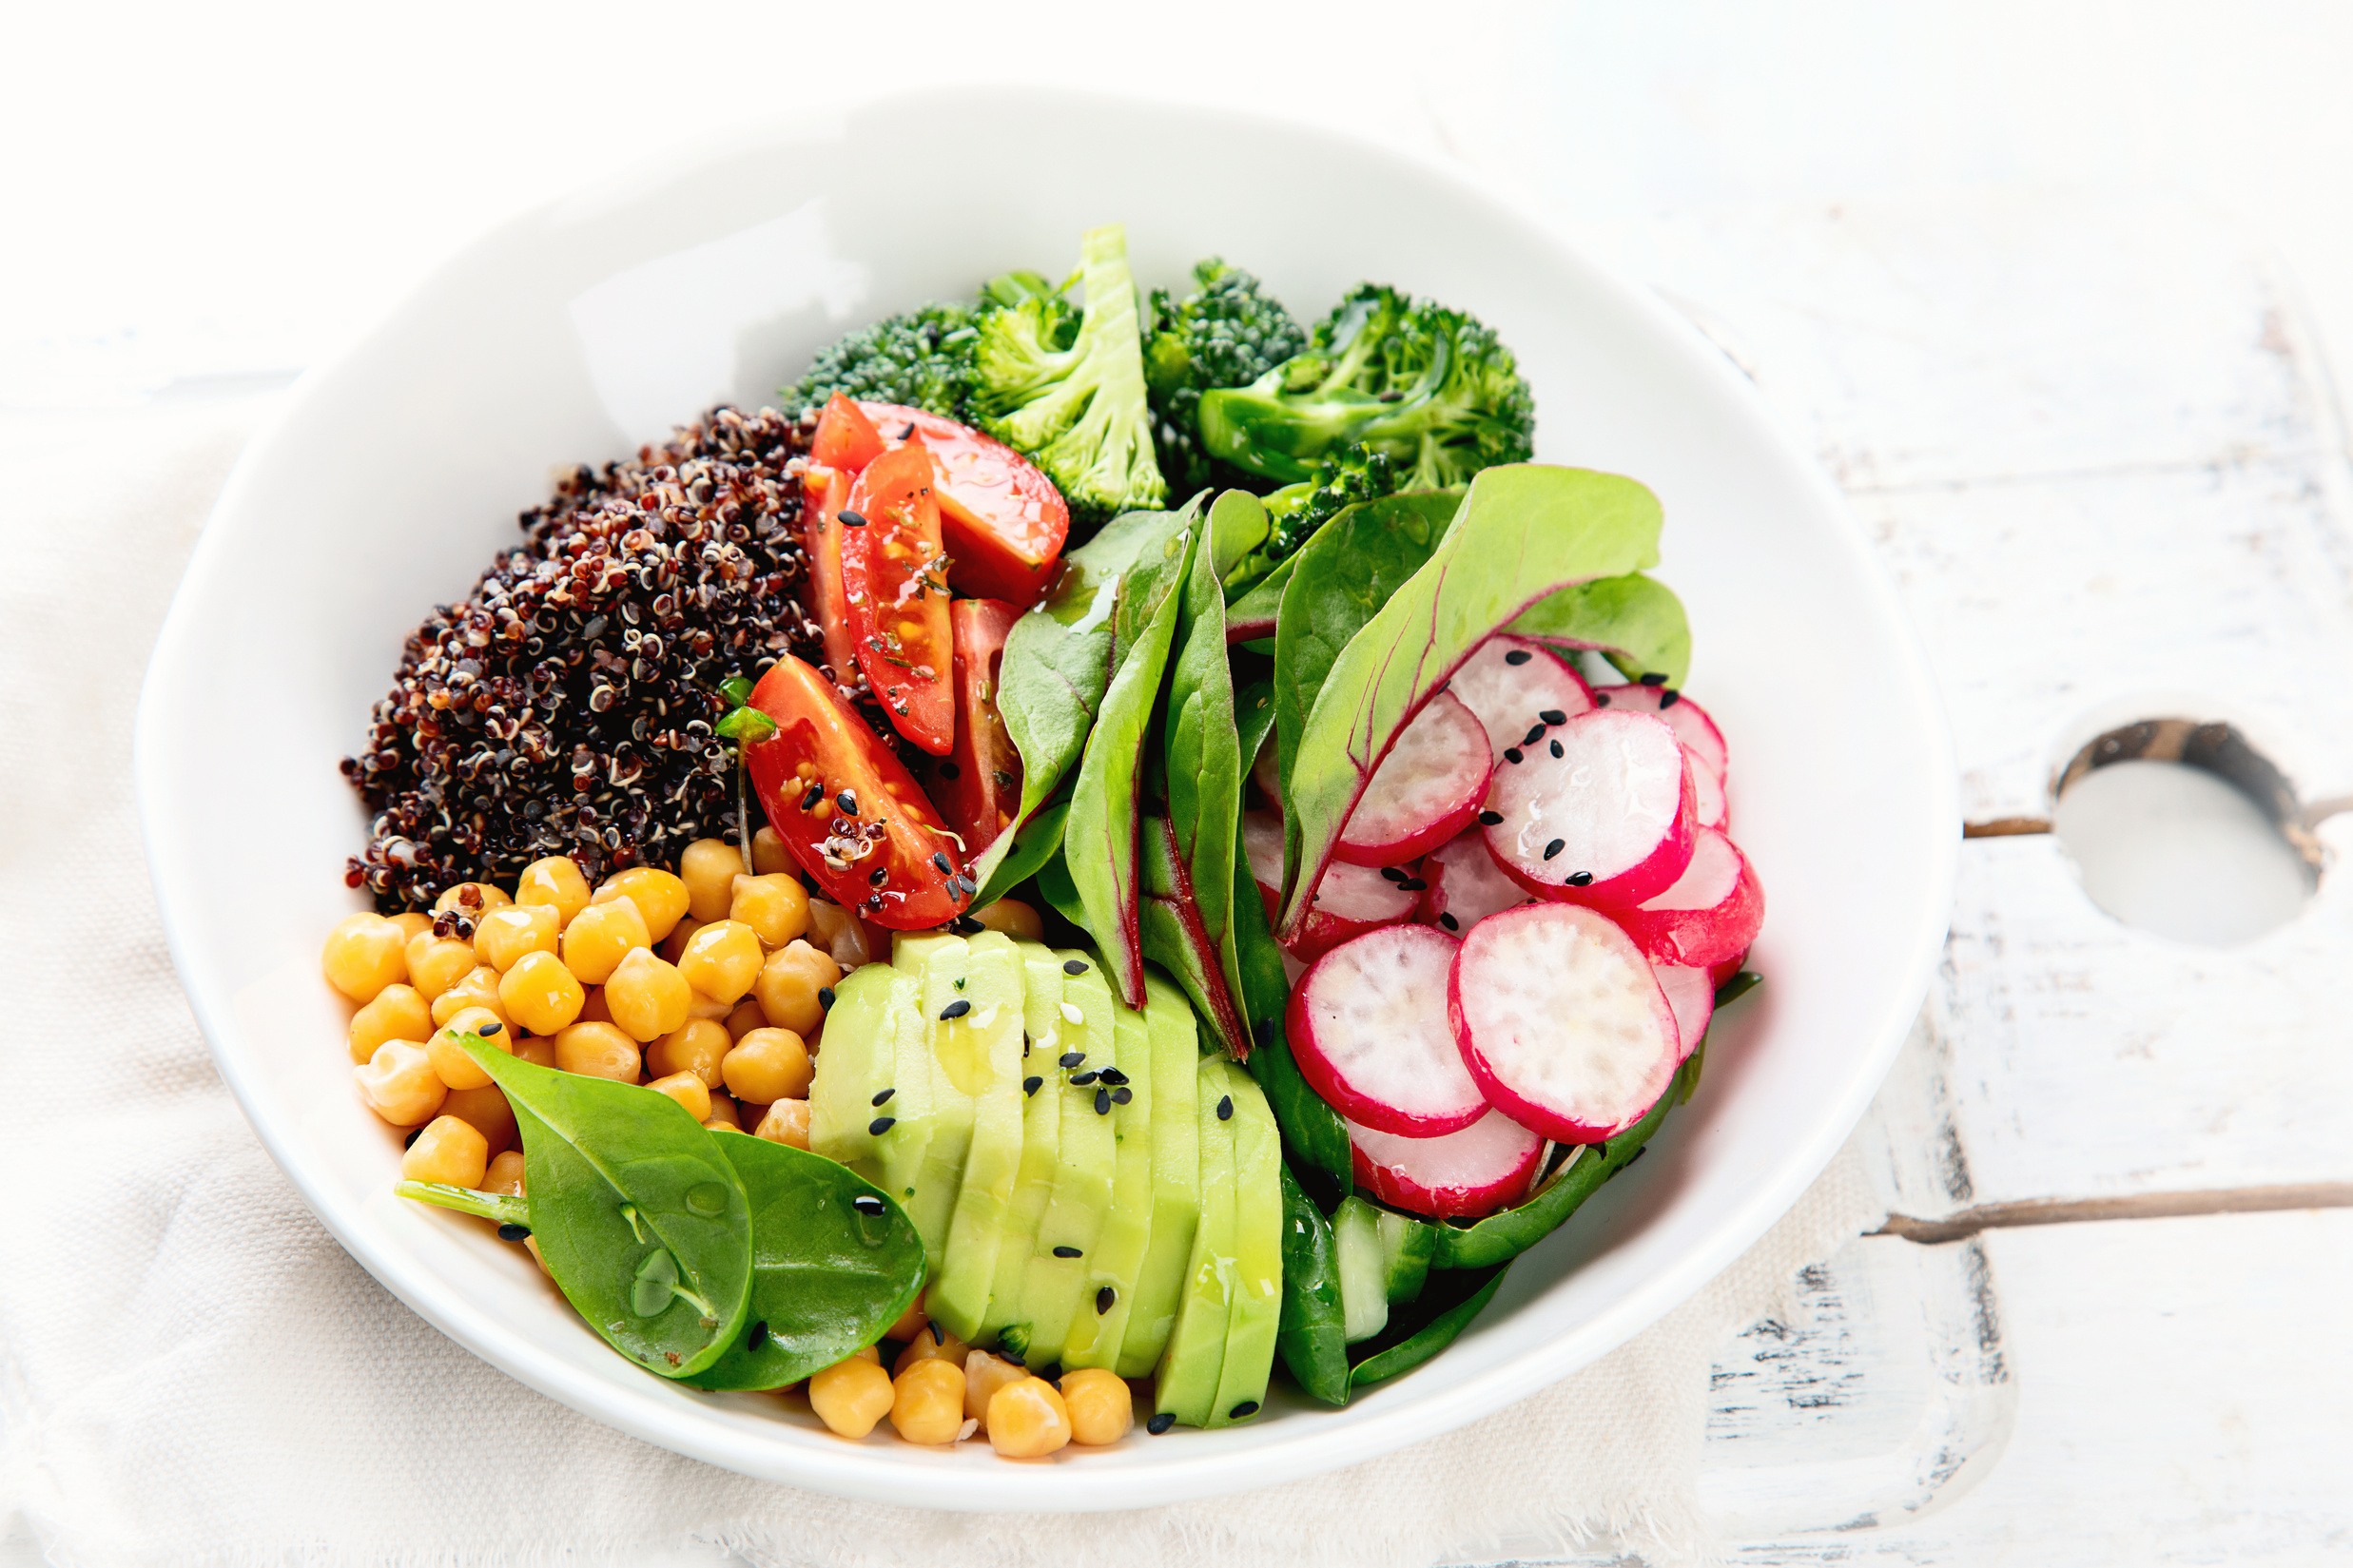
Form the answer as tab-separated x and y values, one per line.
1004	518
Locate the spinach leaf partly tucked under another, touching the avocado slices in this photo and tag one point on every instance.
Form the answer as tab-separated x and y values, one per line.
834	1264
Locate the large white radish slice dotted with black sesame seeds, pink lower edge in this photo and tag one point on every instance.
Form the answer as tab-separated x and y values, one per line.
1599	815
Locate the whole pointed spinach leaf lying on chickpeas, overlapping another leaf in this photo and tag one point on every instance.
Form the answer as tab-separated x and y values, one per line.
641	1219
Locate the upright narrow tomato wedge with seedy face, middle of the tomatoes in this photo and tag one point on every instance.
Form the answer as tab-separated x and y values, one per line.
898	598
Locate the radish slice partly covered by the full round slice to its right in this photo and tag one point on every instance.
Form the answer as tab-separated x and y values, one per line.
1371	1036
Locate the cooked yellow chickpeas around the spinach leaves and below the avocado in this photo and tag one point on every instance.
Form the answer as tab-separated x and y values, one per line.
698	986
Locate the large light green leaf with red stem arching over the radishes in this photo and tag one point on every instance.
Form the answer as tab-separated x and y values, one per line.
1524	532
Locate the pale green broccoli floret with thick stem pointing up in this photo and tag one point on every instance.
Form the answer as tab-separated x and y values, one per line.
1076	403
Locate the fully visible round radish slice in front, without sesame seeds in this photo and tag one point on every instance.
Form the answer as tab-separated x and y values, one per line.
1561	1021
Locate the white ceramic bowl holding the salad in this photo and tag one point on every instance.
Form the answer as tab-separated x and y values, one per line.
592	326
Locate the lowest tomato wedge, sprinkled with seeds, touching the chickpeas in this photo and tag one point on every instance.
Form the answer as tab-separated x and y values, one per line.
848	810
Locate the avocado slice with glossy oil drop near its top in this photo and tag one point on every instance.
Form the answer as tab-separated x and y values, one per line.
982	1054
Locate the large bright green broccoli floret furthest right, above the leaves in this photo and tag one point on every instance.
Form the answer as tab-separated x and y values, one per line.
1425	387
